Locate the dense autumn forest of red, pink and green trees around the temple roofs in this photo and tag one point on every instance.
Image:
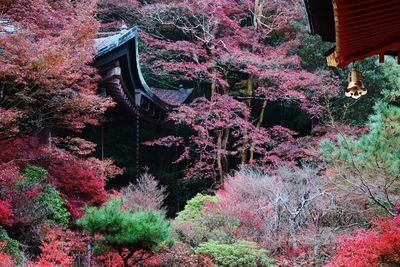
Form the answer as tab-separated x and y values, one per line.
267	164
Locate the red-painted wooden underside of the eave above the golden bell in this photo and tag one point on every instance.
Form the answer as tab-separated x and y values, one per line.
366	28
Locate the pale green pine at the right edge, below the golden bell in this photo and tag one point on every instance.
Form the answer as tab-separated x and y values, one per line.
370	166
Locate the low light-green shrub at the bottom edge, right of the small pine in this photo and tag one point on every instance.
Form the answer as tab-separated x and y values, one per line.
240	253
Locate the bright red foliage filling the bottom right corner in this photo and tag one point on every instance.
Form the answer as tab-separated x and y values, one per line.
374	247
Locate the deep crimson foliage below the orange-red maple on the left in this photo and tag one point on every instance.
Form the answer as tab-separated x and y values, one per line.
78	180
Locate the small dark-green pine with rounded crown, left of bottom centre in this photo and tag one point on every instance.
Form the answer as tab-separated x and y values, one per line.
125	231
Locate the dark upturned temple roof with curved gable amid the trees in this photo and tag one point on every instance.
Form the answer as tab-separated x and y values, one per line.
117	59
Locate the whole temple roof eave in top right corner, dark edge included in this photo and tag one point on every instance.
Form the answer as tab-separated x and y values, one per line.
360	28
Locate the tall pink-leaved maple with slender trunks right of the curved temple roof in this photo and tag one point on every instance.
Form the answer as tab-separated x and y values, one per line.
239	53
